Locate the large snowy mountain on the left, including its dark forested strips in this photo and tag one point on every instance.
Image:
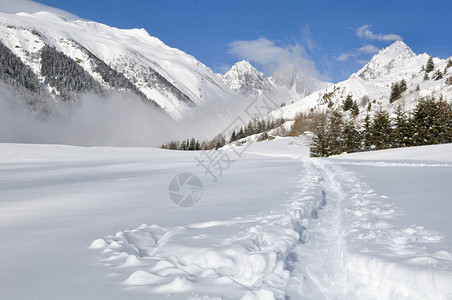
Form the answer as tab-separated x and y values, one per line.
63	56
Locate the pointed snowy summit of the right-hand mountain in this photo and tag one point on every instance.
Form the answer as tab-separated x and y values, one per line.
386	61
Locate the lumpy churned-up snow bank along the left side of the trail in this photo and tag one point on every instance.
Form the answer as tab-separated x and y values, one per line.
247	258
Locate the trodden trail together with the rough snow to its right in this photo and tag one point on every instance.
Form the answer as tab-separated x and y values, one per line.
355	250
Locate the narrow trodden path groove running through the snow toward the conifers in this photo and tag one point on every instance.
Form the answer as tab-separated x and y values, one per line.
319	271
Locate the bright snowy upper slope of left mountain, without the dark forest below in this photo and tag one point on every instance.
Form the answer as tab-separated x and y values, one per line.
169	77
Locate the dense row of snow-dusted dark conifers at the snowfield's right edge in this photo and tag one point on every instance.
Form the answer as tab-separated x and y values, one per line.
430	122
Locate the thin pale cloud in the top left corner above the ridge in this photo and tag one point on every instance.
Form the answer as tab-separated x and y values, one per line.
28	6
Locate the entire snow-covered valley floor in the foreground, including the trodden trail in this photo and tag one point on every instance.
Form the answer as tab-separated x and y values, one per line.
97	223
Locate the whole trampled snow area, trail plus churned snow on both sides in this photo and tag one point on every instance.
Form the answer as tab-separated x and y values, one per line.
333	239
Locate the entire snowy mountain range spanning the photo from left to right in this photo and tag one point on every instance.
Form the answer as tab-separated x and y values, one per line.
46	54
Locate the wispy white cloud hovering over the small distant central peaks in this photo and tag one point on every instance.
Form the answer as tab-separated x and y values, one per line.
271	56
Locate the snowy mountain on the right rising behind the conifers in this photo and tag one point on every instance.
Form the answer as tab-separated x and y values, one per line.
373	83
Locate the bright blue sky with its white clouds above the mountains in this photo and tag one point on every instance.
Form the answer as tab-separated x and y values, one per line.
330	39
